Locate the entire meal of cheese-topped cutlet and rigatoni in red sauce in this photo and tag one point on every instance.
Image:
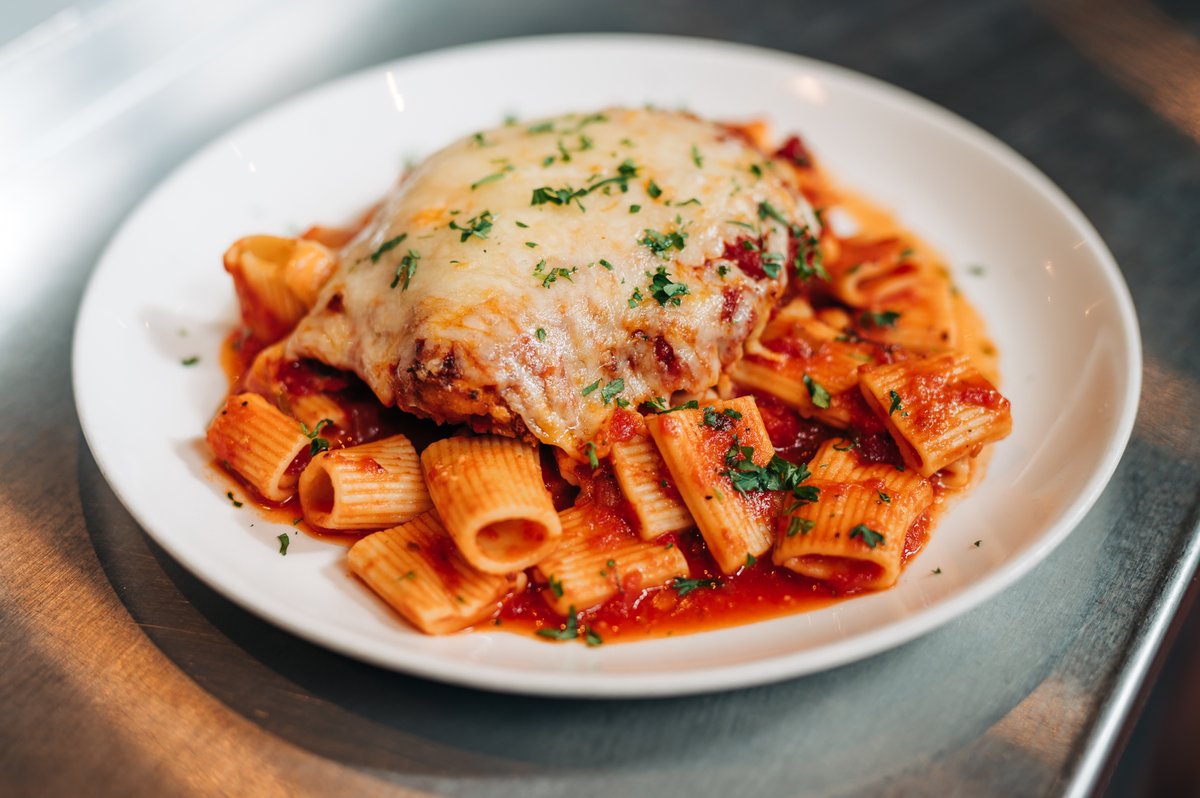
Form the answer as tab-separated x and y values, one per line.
634	369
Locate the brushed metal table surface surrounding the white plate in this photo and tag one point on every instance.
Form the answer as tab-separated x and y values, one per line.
123	675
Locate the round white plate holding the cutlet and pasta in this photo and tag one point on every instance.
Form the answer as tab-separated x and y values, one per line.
1052	296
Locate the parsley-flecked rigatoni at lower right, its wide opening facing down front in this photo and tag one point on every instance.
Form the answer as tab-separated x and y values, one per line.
854	536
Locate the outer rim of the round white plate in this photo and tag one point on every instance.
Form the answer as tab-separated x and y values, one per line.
710	679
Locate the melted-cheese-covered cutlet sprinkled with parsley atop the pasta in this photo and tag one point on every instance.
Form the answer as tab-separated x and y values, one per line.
517	269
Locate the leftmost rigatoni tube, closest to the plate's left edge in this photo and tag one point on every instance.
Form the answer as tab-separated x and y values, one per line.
259	443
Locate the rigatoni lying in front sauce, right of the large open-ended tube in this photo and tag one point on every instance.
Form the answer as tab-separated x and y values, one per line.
597	559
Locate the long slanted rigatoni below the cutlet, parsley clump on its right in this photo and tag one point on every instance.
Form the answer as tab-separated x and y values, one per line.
734	525
